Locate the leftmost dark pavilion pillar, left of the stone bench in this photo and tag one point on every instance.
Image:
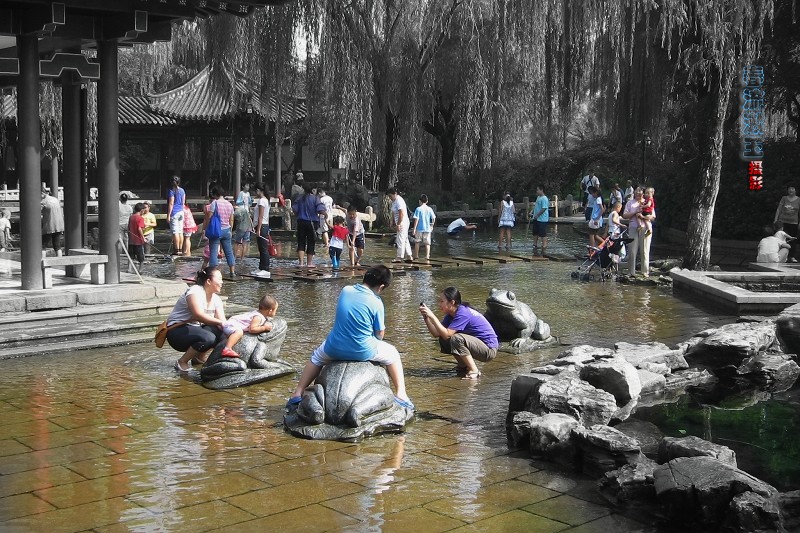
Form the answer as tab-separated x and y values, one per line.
29	164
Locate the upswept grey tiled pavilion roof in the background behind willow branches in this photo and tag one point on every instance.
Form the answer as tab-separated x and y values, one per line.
199	99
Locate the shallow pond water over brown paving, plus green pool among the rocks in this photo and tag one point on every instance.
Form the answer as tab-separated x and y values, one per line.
115	440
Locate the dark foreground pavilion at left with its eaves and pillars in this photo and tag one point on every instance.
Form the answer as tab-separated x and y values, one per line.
40	39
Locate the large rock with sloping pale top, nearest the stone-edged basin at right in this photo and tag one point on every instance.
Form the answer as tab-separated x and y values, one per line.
731	343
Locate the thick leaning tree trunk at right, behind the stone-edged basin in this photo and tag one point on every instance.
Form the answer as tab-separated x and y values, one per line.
710	137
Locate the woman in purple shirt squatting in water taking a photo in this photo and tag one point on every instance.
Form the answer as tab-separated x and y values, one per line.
463	332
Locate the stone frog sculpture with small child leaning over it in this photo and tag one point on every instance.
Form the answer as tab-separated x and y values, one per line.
258	360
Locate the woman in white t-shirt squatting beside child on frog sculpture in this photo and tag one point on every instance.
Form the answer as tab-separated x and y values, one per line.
195	323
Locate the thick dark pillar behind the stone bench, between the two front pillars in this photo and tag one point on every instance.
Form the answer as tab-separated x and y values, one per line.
73	159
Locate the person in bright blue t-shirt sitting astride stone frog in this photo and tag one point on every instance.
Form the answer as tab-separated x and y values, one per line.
357	335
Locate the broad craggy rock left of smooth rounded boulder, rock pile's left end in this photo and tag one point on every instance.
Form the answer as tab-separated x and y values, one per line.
576	398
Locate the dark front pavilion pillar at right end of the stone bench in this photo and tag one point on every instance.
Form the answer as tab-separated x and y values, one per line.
108	158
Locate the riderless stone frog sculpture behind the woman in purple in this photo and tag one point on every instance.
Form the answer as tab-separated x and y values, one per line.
516	325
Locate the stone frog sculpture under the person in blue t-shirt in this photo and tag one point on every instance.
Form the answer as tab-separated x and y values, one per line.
349	401
